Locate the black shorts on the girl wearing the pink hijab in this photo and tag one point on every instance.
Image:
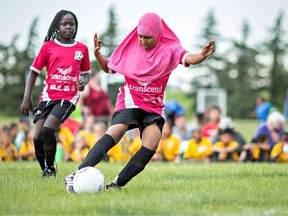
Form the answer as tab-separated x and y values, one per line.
137	118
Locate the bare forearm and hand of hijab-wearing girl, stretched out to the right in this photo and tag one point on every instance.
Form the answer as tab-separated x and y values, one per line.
197	58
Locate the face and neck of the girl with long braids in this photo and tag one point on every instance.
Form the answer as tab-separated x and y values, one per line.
67	29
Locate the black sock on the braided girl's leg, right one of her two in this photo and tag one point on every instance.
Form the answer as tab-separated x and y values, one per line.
50	144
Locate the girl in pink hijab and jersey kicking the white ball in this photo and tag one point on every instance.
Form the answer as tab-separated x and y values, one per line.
146	58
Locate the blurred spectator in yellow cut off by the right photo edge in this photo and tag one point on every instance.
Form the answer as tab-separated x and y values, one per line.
279	152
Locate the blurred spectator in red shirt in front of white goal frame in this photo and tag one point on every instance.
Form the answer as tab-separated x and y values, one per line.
214	116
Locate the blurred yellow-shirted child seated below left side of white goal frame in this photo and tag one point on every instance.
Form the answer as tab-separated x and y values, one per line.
199	148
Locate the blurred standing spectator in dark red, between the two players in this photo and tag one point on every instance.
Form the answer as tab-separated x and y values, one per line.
95	101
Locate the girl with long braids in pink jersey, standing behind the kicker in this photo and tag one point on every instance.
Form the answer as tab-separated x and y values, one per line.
68	71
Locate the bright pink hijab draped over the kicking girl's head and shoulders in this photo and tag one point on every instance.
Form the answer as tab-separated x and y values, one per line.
132	60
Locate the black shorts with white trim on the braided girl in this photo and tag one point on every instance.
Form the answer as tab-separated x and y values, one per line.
61	109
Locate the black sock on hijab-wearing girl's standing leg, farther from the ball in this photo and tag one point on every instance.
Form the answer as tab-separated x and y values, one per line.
136	164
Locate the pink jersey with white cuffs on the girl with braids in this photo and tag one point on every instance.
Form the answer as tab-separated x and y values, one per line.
64	64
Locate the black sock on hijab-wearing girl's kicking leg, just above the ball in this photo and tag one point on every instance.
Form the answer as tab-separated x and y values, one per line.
96	154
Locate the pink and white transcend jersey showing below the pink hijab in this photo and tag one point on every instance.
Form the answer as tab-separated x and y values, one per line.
145	95
